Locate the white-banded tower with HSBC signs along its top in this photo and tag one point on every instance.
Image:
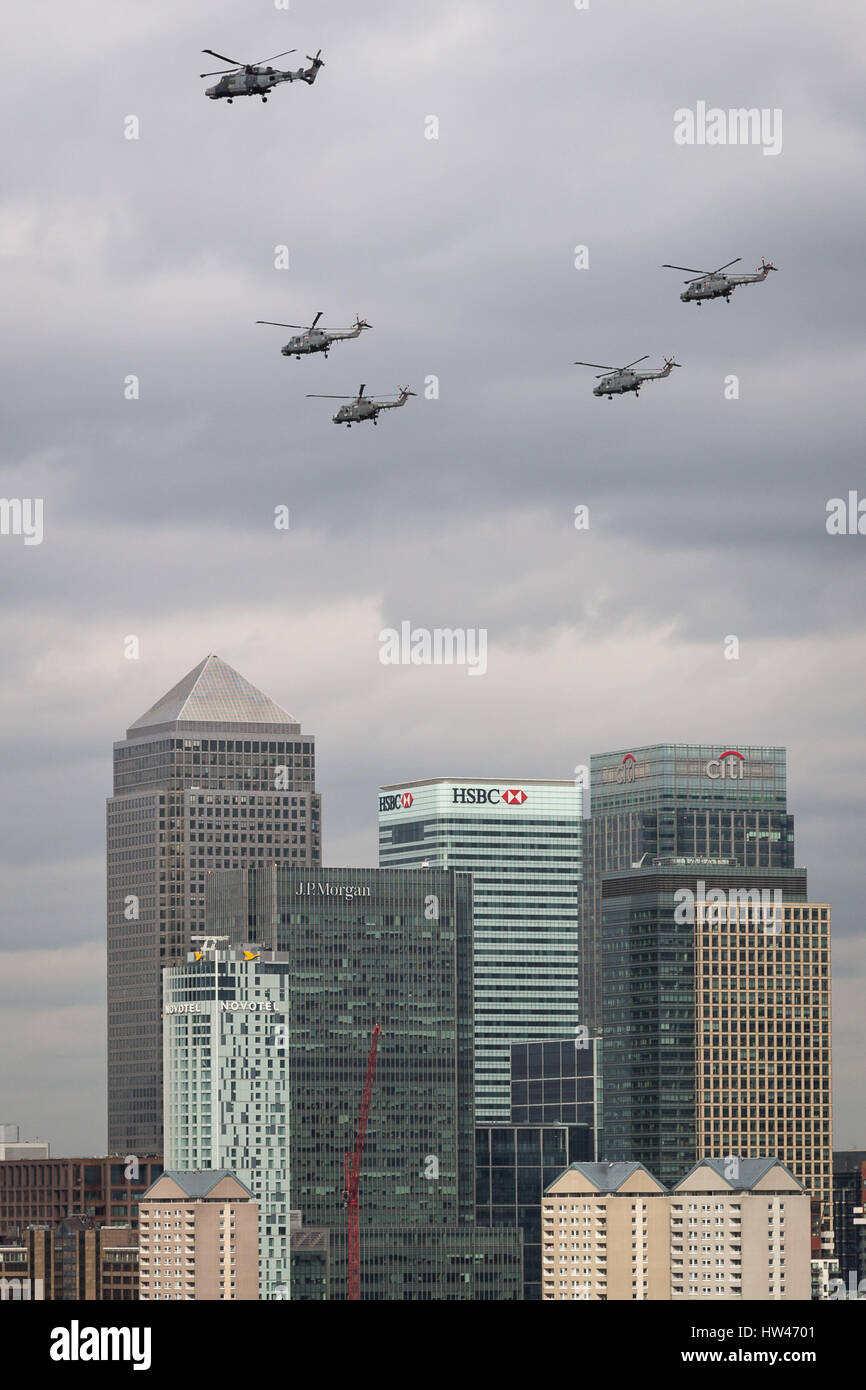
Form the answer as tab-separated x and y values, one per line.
522	843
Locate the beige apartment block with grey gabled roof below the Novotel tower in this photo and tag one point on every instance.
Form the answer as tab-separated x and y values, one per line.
198	1239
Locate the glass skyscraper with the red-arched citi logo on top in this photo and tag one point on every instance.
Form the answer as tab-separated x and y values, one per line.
678	800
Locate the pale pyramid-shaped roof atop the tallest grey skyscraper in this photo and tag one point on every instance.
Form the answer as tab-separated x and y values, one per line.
215	694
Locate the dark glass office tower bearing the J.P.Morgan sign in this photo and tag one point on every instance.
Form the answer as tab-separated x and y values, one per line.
395	949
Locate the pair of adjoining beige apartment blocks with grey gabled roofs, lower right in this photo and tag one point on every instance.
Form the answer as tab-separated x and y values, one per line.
732	1229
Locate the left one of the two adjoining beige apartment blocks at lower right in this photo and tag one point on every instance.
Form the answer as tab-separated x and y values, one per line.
605	1235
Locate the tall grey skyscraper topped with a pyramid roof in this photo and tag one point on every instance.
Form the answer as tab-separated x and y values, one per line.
213	776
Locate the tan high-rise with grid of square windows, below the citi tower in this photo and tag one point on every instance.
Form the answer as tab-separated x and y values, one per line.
762	1038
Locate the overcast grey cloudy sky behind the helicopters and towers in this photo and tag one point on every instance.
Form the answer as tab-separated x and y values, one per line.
707	515
